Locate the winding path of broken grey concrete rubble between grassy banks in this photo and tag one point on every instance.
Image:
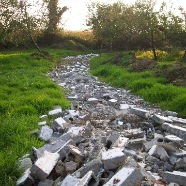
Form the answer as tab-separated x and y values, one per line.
108	137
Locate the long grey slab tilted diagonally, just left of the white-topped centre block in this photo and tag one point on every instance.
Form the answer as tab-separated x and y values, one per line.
94	165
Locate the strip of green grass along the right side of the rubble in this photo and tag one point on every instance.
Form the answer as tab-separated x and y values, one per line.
155	90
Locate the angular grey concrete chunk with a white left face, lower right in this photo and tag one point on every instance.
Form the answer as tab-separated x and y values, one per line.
158	152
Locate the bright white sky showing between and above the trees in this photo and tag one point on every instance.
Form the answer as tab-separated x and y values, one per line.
75	17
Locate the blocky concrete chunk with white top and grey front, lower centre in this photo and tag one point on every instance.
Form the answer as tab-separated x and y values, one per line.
113	158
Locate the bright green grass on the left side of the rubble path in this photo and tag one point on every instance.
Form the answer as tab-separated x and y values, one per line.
25	93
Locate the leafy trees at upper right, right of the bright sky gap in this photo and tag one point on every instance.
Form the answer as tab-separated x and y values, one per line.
139	26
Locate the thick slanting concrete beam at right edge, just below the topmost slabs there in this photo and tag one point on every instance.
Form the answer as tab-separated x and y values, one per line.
178	131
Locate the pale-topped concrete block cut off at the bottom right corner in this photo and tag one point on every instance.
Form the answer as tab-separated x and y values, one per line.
175	176
